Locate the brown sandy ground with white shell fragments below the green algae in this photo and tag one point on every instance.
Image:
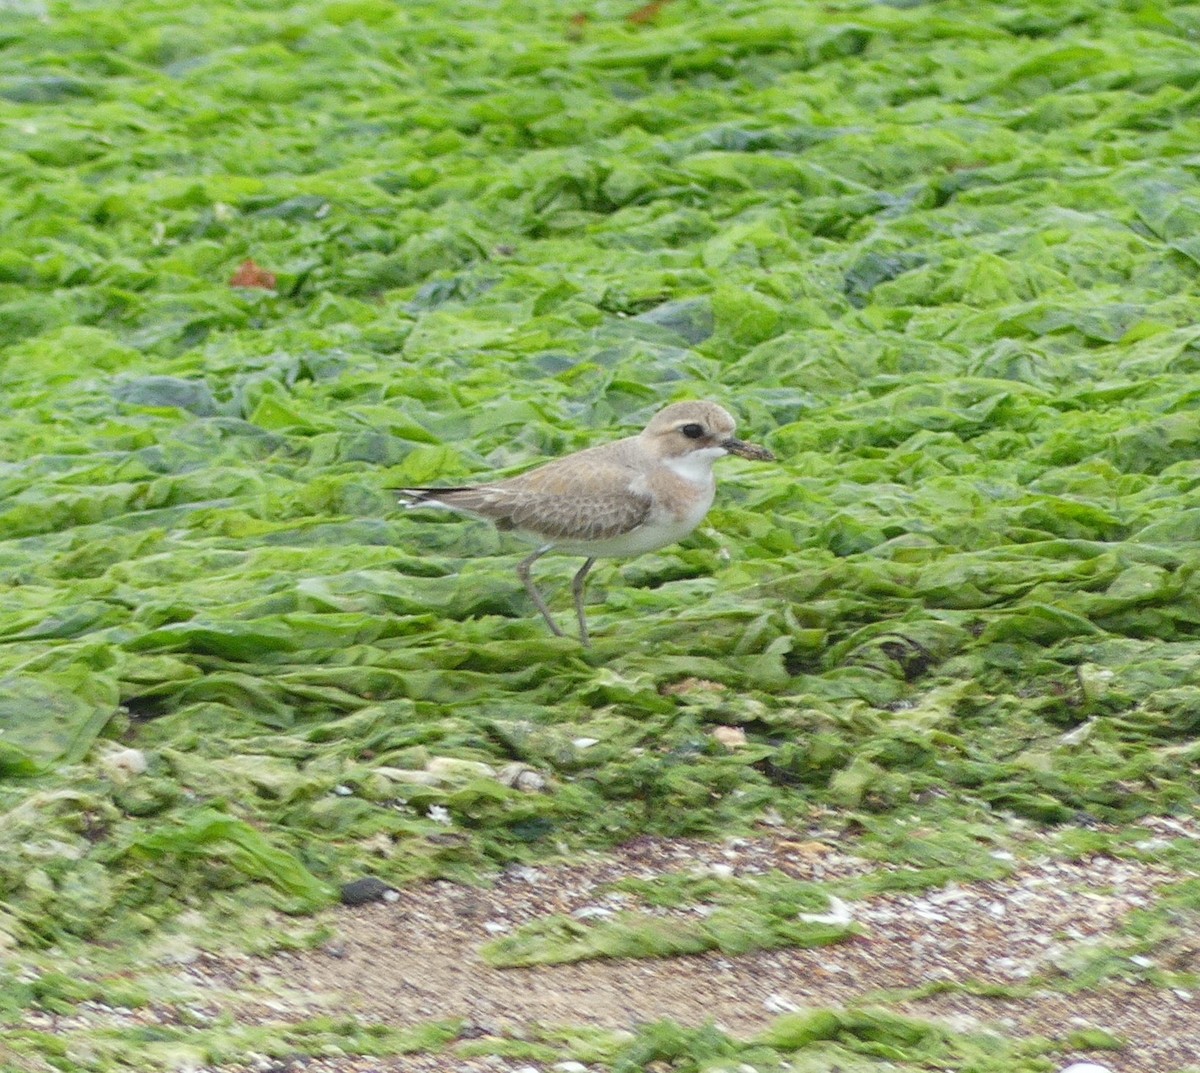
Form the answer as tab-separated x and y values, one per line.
417	958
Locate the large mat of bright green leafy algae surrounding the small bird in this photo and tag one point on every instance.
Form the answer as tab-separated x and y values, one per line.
941	259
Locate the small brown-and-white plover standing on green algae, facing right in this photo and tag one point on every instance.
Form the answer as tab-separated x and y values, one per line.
611	501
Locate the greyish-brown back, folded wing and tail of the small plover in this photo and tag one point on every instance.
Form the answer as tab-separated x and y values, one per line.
562	500
